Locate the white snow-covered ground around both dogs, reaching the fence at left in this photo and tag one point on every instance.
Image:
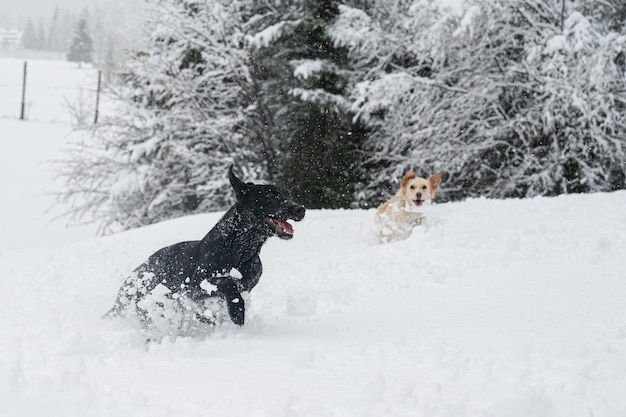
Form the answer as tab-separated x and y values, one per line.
492	308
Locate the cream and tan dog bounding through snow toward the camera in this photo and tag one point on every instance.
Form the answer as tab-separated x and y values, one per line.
397	217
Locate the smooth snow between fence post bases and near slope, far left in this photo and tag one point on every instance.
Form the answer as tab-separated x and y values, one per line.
27	181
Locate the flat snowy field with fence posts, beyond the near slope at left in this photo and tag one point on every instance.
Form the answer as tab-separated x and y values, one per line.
57	93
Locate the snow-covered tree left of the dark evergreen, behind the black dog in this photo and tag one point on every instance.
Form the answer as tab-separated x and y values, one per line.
179	126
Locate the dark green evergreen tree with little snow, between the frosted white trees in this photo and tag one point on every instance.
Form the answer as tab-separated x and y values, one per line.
304	87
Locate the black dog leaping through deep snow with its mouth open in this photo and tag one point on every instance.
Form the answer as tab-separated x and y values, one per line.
227	257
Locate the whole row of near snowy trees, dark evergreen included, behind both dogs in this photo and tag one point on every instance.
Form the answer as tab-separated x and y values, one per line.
336	100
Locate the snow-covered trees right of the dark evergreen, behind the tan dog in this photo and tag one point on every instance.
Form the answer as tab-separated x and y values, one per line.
511	99
